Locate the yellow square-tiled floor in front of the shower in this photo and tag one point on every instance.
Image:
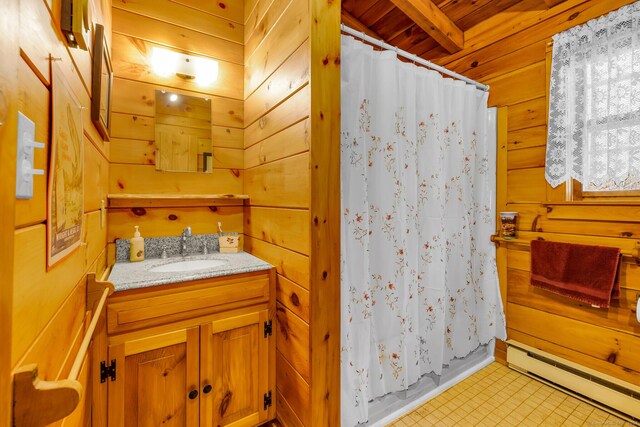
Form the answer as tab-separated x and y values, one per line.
499	396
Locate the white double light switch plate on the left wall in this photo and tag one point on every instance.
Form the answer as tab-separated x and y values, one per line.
24	157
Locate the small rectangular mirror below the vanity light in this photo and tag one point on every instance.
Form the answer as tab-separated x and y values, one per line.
183	133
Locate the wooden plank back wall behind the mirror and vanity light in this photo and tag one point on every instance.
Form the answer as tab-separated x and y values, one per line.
213	30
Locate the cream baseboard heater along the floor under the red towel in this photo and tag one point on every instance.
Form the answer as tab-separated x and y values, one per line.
597	388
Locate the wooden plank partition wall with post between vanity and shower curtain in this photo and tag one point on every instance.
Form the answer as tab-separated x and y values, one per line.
291	140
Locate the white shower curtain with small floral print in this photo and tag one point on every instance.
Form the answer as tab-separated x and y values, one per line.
419	280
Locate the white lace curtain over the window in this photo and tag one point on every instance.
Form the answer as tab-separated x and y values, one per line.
594	103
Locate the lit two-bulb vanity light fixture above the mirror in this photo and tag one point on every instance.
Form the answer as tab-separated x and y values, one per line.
165	63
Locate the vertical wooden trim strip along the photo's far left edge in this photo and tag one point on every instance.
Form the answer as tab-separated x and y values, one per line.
9	94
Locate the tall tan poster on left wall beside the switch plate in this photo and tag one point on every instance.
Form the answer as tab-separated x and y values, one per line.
65	192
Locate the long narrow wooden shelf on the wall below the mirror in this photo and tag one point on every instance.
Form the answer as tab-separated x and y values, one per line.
173	200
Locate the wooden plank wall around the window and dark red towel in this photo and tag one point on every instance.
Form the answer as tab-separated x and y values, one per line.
510	56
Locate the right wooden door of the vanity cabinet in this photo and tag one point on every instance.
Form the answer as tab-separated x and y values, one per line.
235	369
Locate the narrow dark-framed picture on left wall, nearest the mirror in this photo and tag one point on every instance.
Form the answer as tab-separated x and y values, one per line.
102	77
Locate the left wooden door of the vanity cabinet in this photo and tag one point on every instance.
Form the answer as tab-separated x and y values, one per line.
156	381
